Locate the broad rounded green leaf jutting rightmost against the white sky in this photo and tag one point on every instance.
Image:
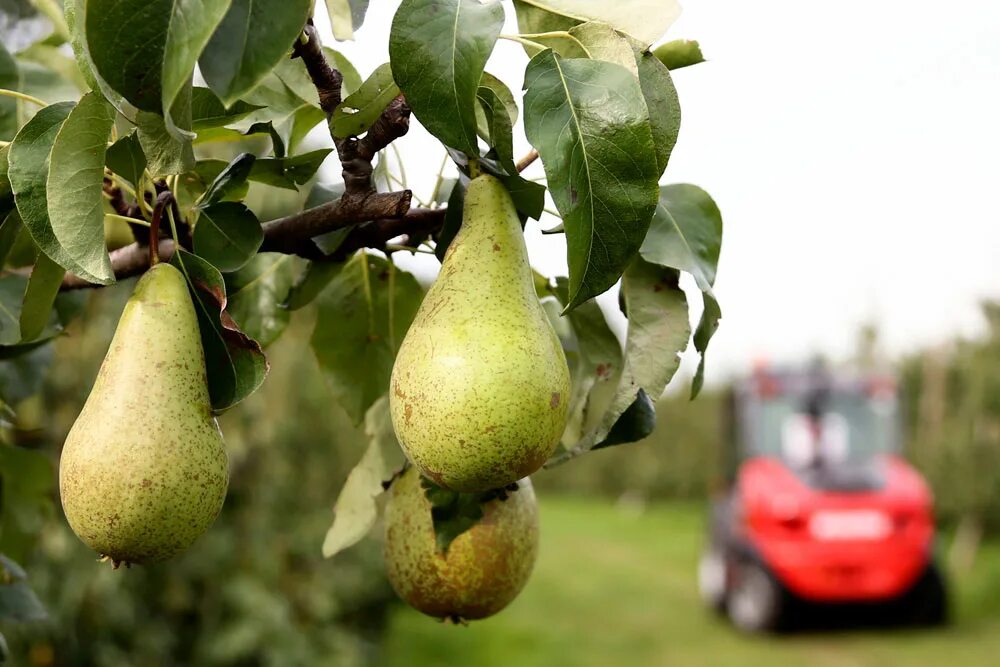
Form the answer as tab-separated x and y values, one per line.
686	233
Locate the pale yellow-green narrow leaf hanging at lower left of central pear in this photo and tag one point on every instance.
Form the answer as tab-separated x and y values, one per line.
356	509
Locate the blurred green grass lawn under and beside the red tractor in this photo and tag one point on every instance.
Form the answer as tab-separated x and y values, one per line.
618	589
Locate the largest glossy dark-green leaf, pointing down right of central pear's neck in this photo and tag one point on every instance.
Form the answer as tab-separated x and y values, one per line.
589	122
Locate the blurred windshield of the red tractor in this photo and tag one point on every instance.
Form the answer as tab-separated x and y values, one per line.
845	426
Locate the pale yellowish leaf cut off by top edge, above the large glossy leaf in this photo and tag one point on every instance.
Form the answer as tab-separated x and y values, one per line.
645	20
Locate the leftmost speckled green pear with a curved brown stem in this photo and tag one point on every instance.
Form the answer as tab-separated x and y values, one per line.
144	469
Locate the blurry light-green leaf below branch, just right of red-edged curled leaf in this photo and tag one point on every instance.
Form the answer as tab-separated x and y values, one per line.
257	293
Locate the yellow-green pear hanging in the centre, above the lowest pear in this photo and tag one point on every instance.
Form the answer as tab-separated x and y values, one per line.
480	388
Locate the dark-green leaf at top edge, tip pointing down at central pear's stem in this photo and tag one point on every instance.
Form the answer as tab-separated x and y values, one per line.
438	49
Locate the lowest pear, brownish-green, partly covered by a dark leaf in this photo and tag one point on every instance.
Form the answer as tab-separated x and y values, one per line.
483	569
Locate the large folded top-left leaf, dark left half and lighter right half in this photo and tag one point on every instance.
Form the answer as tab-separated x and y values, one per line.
146	50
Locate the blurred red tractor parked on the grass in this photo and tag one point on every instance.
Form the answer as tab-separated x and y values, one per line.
819	511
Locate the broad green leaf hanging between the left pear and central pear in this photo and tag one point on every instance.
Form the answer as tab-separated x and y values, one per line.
363	315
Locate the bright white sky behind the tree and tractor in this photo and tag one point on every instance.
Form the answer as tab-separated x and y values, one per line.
853	149
